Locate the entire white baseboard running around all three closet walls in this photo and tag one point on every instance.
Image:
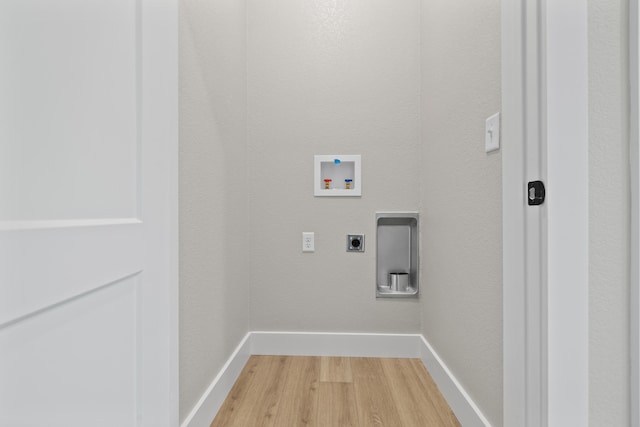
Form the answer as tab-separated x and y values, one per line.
335	344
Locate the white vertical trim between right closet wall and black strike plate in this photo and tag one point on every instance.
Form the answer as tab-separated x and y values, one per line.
513	215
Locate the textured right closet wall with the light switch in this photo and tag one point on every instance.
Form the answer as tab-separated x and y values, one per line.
461	195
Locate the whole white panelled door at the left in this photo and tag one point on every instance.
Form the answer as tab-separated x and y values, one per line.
88	149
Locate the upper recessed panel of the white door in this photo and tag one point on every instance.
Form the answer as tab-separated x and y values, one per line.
69	120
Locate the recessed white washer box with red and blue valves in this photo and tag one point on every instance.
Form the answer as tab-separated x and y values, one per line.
337	175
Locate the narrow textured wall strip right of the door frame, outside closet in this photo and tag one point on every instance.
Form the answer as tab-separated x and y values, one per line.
608	213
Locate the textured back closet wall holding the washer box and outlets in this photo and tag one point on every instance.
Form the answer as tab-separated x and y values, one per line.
329	77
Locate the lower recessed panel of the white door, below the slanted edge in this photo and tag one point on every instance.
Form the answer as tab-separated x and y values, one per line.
74	363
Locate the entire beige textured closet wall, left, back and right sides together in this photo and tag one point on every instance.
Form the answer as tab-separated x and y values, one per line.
267	84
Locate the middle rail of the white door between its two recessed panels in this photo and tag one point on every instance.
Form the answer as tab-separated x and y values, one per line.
46	267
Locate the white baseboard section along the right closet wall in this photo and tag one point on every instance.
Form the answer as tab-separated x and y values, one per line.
458	399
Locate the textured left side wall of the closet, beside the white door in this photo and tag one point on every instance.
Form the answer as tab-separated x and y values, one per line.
213	191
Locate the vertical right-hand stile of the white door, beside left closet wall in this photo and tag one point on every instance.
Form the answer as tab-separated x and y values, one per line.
160	89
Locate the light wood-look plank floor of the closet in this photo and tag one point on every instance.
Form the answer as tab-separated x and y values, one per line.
284	391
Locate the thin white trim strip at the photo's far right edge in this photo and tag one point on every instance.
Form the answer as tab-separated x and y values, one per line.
634	154
